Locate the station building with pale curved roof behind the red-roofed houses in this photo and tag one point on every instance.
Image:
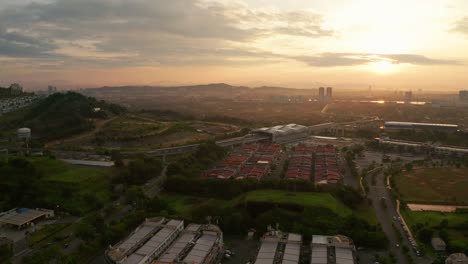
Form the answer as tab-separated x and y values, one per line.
284	133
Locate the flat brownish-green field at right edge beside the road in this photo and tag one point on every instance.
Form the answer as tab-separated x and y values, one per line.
434	185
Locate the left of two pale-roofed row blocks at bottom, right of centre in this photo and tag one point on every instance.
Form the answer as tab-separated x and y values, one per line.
278	247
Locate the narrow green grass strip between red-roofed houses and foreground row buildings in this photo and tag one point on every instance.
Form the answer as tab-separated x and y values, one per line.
305	199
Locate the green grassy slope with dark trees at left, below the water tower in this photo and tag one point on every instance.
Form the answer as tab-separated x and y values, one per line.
45	182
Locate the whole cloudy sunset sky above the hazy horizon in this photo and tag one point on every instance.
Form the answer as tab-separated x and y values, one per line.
394	44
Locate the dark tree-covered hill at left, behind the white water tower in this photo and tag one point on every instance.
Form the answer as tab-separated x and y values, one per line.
60	115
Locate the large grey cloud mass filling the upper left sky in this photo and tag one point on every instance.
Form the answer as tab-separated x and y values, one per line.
138	32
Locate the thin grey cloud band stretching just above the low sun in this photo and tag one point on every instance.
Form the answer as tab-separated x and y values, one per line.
352	59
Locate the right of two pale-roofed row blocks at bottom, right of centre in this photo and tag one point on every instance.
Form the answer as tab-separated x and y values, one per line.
332	250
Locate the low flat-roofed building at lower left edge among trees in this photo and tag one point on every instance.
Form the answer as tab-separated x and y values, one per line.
23	217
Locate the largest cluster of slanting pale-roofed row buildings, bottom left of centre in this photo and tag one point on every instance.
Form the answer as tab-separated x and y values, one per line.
165	241
